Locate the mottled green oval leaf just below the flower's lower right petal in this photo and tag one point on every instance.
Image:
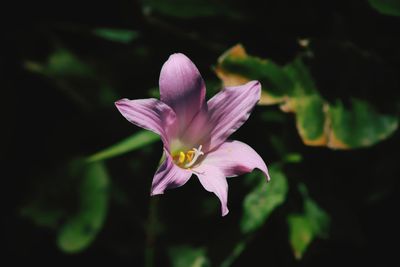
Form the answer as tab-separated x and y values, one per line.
263	200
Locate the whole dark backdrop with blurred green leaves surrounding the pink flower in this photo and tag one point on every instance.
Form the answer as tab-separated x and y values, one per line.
76	174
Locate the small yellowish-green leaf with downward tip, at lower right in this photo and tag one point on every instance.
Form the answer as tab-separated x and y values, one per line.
305	227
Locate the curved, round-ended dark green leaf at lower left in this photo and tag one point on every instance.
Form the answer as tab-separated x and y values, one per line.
80	230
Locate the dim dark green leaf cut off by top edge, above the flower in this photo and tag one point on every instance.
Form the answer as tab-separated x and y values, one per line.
186	9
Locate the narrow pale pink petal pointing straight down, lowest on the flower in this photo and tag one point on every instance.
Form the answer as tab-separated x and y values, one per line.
213	180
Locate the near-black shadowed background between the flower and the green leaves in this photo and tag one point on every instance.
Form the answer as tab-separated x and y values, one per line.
357	55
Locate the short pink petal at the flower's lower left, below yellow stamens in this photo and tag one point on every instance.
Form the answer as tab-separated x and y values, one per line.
169	176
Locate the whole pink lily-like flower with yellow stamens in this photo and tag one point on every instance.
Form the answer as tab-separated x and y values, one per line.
195	132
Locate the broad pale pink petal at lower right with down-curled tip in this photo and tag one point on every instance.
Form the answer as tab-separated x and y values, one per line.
234	158
